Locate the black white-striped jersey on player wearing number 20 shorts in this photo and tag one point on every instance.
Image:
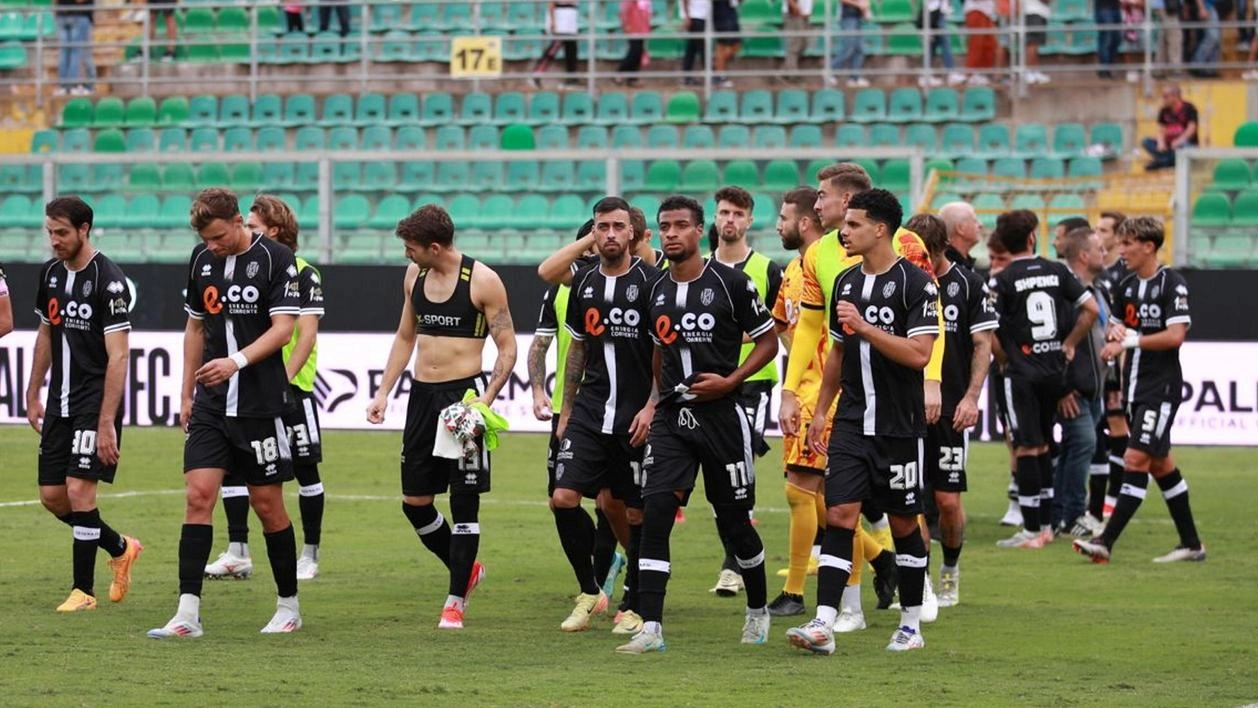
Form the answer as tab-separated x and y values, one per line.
881	397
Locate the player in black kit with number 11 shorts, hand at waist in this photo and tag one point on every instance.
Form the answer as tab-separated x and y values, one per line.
700	314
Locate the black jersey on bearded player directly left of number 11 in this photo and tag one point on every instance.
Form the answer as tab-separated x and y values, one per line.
612	316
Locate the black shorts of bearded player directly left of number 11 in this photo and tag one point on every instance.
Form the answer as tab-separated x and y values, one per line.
591	461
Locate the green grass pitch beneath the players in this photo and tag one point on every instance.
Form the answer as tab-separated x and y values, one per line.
1033	628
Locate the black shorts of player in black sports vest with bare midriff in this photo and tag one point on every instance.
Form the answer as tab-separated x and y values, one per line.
423	473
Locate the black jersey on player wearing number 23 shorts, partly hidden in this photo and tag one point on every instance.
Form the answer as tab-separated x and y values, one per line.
967	313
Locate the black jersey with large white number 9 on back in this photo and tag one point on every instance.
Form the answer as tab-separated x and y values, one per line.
1036	301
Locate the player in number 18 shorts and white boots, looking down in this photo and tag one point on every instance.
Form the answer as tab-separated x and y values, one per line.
243	301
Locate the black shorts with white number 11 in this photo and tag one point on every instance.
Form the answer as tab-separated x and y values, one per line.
715	437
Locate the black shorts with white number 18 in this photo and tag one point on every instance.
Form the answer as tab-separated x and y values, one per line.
255	450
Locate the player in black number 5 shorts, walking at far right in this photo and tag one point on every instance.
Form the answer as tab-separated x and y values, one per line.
1153	304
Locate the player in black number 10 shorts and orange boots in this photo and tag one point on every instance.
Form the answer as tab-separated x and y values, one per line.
84	304
